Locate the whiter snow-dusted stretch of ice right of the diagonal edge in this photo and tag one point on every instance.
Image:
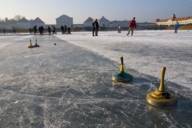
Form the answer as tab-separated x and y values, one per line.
146	51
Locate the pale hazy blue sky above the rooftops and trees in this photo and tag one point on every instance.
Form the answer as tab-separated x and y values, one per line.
48	10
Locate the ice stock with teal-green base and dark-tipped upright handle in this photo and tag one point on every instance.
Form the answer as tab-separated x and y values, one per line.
122	76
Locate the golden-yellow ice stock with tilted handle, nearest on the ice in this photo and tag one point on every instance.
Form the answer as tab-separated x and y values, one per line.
161	97
